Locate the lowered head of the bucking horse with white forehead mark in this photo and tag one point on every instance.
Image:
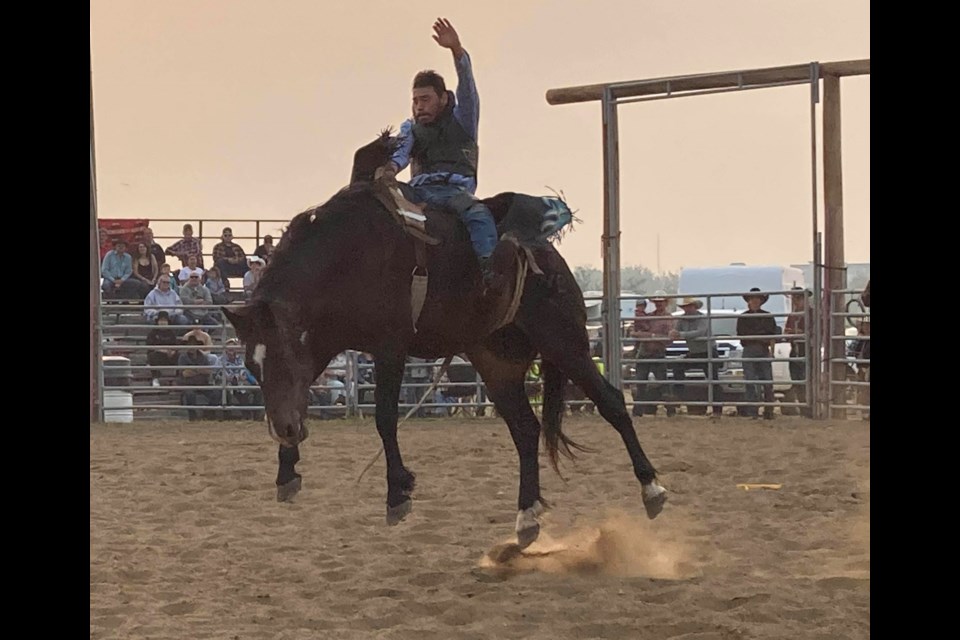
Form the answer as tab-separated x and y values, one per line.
280	360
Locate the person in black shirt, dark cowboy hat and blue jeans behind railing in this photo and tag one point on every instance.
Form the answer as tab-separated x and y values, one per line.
756	321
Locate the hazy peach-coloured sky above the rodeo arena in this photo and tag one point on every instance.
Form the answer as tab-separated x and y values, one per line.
251	109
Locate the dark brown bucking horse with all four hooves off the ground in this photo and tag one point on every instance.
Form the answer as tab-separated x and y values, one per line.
340	278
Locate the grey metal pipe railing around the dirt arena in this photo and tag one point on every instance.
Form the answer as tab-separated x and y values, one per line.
720	372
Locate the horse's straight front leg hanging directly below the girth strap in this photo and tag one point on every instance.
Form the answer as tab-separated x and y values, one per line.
400	481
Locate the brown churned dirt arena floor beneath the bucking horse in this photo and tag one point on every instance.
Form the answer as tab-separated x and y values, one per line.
188	540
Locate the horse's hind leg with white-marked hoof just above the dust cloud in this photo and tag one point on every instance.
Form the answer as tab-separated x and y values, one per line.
505	380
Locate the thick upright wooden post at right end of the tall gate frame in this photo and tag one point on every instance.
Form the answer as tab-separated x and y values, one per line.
834	260
